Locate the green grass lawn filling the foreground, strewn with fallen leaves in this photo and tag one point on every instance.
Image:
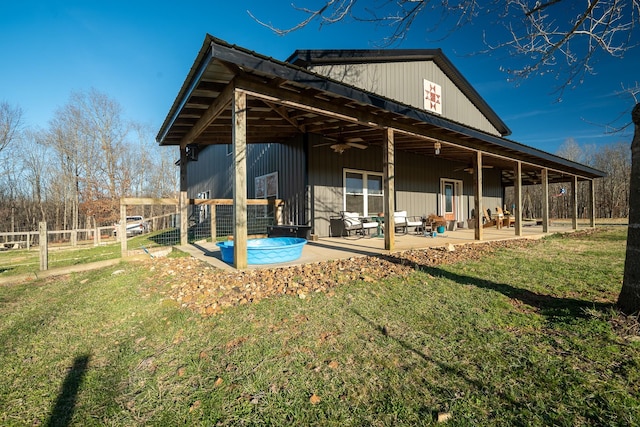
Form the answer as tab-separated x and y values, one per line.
524	337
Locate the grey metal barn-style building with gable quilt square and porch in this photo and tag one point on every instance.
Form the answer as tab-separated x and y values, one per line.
370	131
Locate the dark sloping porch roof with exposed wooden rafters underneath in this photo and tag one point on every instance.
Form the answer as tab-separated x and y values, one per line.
285	100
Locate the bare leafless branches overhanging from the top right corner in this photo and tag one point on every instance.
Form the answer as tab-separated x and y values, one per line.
553	36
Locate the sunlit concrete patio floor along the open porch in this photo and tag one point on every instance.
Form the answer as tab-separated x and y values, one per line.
333	248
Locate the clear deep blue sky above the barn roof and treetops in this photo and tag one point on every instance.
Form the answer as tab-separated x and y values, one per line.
139	52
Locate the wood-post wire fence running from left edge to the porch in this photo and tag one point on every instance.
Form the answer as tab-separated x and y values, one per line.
207	220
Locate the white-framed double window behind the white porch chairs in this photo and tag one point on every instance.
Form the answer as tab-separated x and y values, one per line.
363	192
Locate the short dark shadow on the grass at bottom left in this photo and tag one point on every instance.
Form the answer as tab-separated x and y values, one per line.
64	408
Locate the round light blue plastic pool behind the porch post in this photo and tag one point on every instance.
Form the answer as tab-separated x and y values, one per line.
266	251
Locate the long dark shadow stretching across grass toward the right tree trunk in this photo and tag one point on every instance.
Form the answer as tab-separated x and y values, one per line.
549	306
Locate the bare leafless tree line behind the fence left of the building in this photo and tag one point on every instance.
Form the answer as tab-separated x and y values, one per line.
74	172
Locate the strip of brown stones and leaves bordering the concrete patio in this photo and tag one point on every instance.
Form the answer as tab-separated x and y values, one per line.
209	291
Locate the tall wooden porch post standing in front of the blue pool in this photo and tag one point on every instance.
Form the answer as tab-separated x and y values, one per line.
239	118
